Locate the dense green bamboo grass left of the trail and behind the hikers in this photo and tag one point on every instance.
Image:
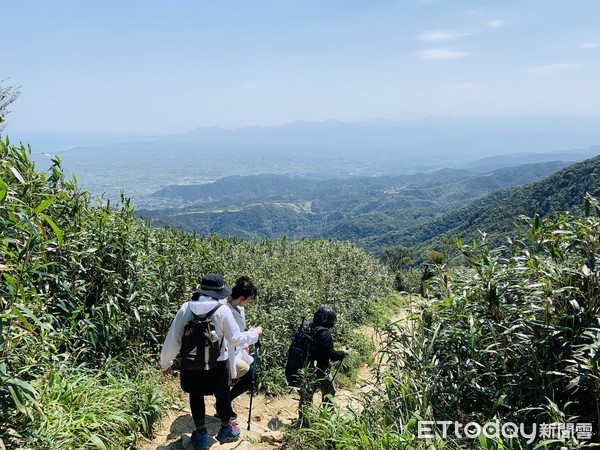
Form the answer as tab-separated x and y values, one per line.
88	292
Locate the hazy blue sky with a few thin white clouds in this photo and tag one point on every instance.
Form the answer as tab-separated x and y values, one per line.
157	66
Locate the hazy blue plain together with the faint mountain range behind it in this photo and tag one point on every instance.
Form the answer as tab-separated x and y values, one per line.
326	150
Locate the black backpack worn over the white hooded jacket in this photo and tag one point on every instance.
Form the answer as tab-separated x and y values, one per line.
200	346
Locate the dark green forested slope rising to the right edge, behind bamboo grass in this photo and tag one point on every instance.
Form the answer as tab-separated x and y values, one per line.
497	213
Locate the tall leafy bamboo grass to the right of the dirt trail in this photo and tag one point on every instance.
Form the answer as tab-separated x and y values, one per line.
514	336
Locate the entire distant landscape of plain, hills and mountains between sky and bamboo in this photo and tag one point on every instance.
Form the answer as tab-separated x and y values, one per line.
378	183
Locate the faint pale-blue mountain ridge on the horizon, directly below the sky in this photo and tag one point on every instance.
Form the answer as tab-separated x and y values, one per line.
470	138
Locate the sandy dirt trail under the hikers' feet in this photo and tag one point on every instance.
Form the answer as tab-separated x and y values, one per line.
268	417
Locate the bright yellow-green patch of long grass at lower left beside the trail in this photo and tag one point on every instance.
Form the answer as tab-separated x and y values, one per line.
85	408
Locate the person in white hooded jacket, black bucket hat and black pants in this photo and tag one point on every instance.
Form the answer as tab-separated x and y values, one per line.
213	381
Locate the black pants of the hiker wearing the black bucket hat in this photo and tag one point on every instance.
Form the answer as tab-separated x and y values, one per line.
212	382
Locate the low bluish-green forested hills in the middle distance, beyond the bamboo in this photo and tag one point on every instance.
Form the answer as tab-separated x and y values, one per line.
357	209
